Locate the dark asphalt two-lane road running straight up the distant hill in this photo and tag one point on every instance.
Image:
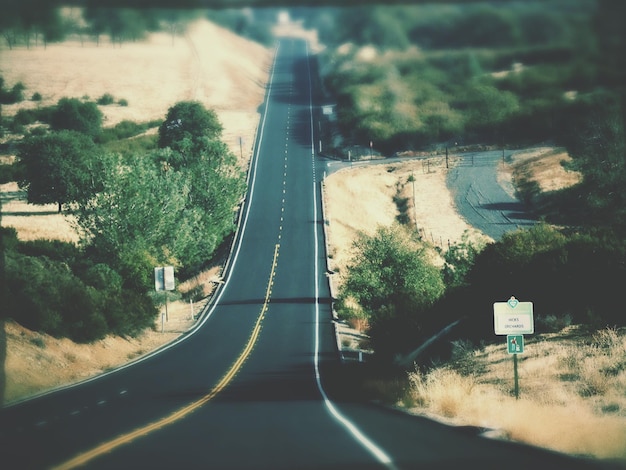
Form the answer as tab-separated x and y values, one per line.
247	388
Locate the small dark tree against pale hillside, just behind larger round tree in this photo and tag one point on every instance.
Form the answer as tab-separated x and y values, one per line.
76	115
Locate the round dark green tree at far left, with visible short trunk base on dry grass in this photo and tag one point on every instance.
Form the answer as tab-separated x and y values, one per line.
60	167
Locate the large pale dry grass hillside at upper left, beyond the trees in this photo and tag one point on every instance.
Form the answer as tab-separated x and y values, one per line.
208	63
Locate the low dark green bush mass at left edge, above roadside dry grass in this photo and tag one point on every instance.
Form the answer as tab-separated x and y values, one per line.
53	288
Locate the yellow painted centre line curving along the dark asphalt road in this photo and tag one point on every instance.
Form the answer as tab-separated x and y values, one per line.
102	449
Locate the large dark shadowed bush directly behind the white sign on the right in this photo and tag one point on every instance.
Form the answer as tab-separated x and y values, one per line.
573	278
